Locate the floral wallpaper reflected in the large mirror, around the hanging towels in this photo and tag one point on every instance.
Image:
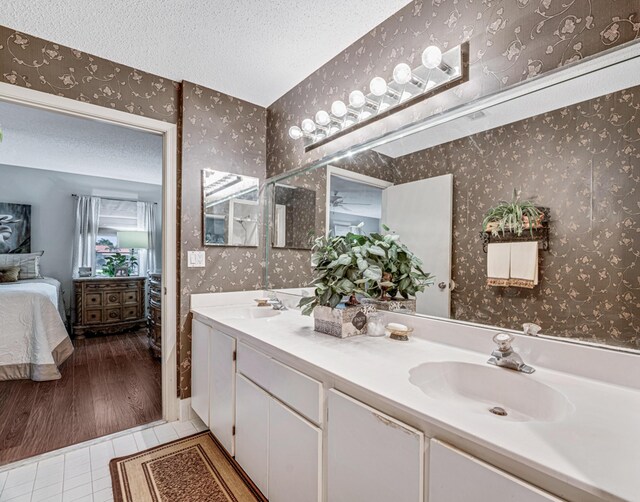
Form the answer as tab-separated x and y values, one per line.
580	161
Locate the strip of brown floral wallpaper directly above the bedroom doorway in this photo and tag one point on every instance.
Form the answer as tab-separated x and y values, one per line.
48	67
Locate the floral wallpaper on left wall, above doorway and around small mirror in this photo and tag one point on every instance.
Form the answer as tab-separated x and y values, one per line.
215	131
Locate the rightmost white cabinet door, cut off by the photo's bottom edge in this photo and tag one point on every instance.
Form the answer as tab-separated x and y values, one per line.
449	466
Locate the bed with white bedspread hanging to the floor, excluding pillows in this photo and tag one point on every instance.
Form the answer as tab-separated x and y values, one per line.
33	338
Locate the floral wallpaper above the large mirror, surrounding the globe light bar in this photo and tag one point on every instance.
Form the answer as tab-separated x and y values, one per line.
509	41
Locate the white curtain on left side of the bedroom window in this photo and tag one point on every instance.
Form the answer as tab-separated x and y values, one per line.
87	214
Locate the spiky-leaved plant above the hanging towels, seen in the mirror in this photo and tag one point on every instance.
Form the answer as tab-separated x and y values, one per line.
512	216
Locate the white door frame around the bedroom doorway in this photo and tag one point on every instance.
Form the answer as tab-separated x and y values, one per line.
51	102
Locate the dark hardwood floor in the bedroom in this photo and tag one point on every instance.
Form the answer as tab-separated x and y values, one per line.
109	384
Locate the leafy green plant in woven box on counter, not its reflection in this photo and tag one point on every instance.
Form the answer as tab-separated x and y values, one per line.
373	267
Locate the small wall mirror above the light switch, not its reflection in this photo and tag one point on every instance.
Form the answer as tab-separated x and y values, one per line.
230	209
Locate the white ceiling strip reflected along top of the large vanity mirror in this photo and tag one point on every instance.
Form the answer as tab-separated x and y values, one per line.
562	95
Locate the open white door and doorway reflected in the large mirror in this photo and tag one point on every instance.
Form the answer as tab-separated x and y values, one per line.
420	212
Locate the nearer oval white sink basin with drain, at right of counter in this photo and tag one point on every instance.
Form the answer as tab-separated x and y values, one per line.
480	389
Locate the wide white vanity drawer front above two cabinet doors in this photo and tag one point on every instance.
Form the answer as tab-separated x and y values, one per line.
300	392
